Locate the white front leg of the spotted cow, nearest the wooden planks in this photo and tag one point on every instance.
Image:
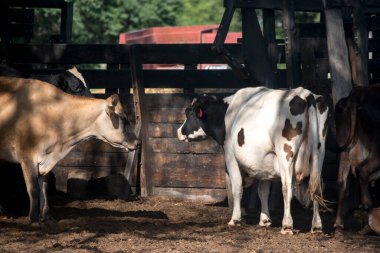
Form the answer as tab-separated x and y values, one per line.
237	189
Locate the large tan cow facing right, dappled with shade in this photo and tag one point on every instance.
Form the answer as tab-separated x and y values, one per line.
40	125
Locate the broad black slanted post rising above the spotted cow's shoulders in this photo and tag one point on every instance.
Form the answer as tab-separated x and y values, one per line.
254	50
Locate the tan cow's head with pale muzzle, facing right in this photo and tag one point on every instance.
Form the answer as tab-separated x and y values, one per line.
114	127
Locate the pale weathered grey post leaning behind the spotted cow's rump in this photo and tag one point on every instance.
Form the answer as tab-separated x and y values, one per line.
338	54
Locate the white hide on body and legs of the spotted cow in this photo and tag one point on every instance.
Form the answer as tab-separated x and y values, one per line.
261	114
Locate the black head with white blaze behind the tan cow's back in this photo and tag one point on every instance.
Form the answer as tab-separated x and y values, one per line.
73	83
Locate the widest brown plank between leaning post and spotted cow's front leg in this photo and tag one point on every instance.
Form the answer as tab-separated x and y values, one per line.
188	170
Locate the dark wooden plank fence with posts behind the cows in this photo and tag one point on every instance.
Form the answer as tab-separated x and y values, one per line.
196	170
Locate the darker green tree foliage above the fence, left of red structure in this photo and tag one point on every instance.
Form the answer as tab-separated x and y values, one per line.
98	21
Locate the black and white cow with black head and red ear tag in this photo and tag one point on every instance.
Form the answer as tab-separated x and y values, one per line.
266	134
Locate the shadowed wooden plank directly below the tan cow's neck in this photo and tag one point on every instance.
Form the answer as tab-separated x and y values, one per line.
78	159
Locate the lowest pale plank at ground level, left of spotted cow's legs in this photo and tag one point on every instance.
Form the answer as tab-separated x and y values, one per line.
204	194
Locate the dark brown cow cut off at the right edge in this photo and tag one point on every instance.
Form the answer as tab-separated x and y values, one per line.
357	136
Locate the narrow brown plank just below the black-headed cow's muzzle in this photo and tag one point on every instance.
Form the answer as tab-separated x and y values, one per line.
173	145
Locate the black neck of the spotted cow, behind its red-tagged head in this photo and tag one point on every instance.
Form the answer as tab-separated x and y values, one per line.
215	127
